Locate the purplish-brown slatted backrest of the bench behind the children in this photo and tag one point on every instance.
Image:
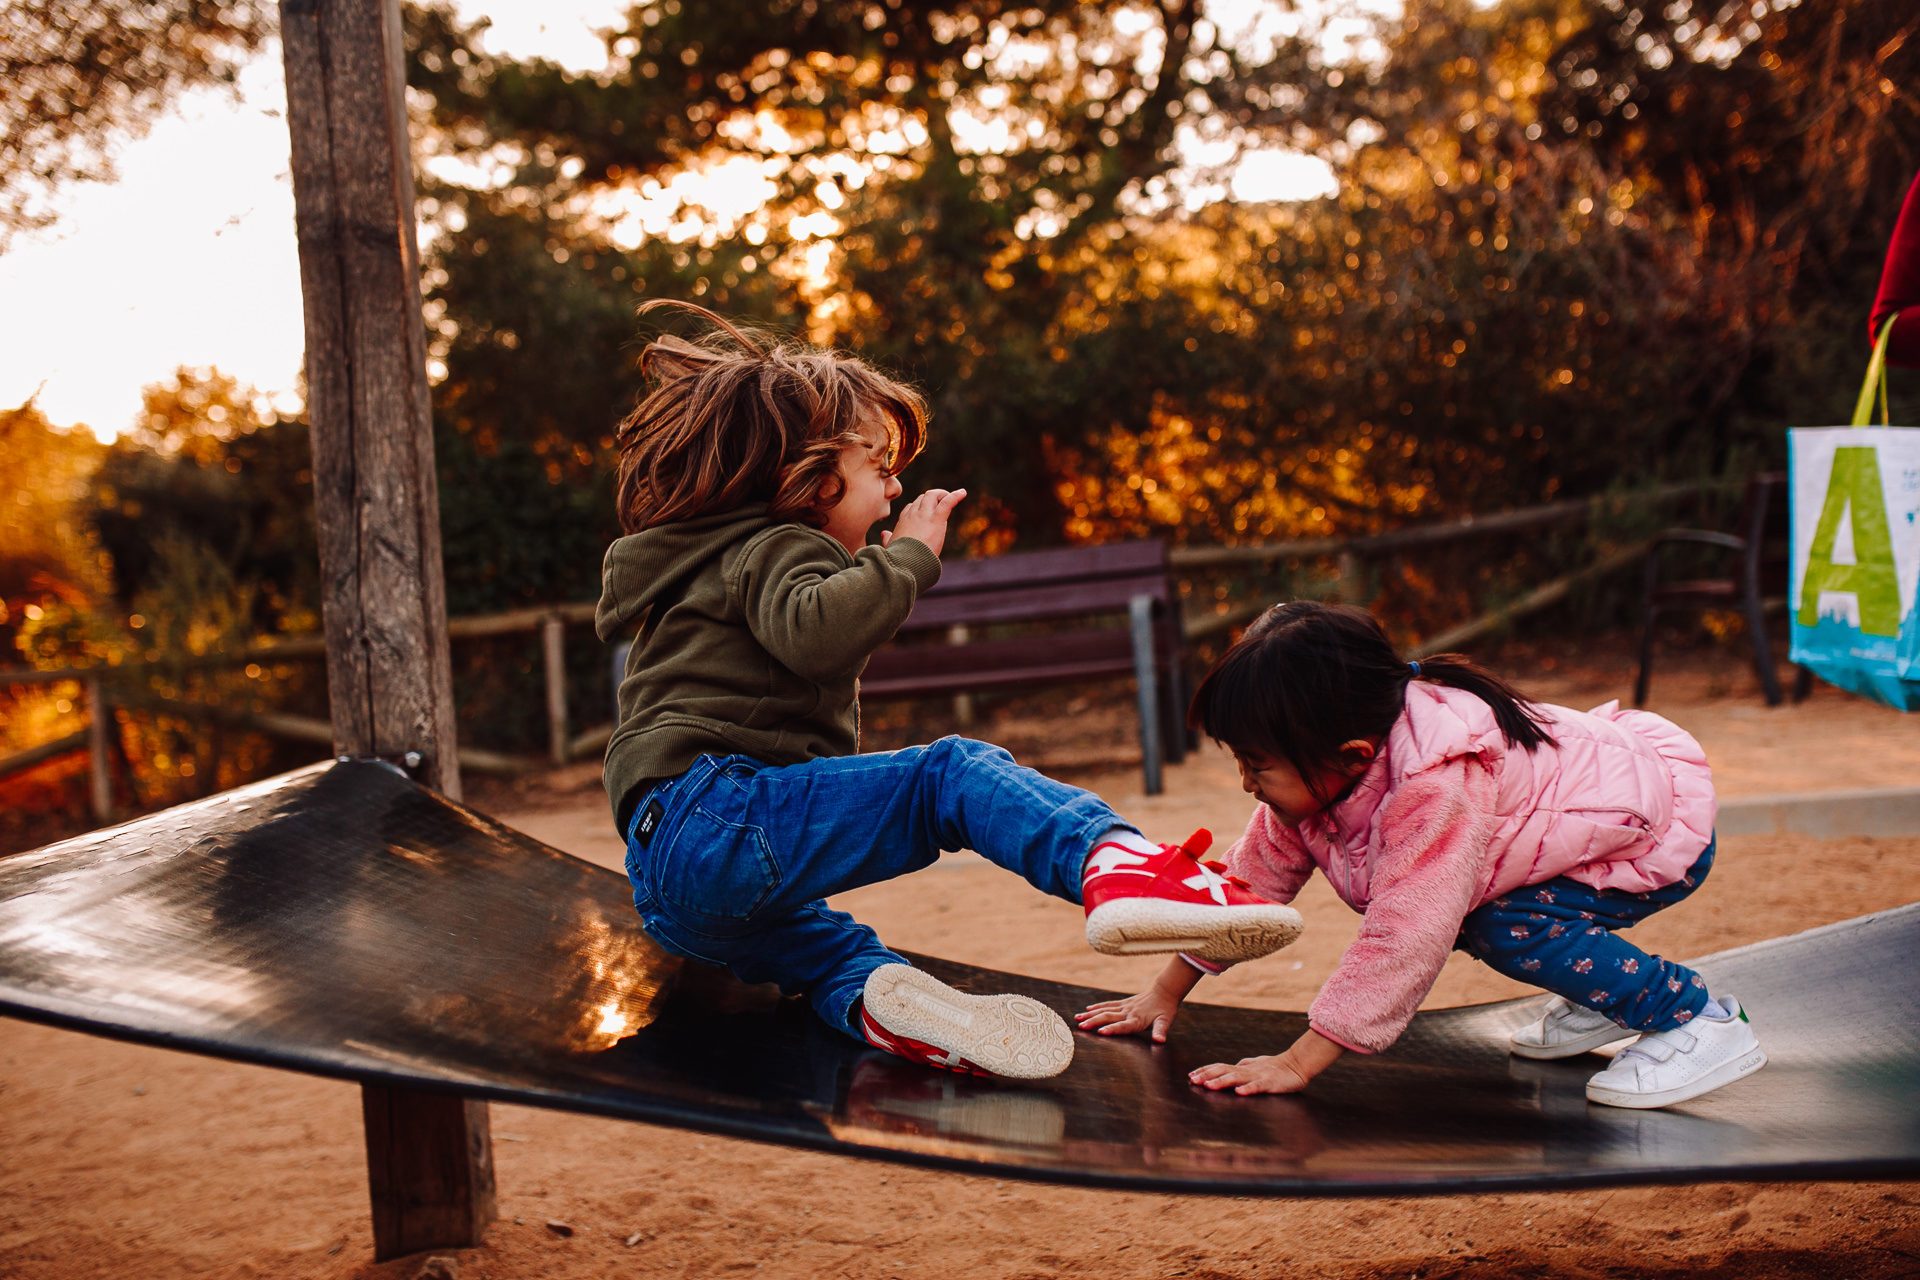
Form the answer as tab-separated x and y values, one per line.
1034	586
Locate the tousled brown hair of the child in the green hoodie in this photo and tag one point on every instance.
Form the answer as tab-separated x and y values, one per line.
742	417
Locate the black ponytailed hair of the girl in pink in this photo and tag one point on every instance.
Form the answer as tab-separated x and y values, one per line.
1310	676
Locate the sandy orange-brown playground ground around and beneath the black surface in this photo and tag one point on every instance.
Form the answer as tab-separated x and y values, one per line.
132	1162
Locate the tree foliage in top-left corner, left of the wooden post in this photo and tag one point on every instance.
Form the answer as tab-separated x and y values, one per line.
82	74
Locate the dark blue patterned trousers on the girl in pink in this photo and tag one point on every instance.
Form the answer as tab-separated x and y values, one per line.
1560	936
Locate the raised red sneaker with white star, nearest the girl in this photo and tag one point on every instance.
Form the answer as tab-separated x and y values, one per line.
1172	903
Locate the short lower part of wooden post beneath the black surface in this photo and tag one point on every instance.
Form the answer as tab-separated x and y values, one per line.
429	1168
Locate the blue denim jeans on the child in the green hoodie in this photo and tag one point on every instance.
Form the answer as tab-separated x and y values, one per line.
732	859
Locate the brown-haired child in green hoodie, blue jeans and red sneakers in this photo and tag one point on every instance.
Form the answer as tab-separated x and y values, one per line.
750	479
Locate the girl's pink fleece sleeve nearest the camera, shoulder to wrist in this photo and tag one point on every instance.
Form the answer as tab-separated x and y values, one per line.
1433	857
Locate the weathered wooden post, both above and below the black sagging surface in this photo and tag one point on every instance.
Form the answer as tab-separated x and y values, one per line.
391	690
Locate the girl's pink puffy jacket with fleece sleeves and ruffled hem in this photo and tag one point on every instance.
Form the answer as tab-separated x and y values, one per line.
1451	817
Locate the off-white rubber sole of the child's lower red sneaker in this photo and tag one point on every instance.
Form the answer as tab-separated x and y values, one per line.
1009	1035
